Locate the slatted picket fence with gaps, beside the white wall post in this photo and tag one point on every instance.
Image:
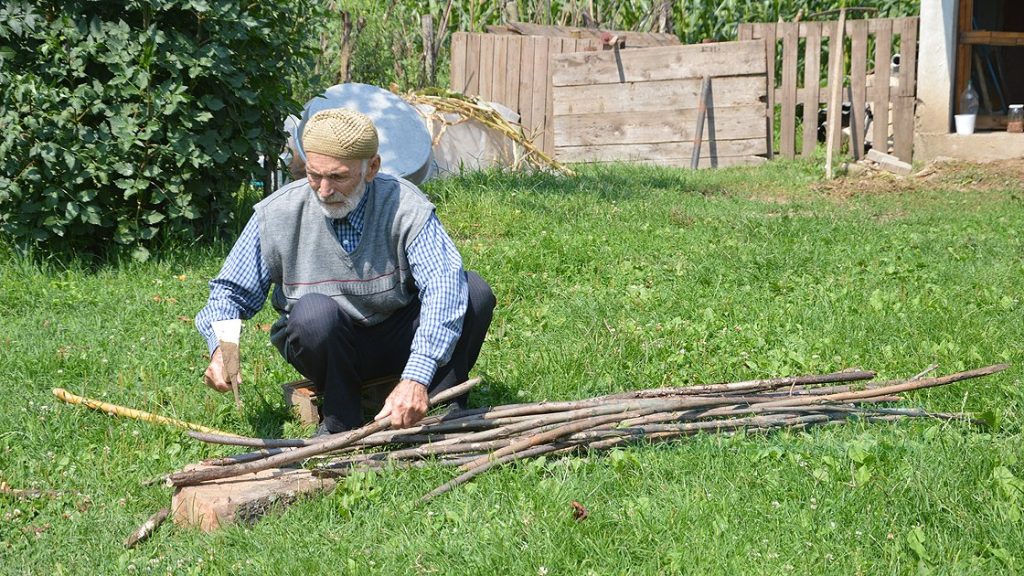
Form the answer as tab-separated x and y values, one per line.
891	98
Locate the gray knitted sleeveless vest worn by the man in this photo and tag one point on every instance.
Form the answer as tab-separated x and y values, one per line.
304	255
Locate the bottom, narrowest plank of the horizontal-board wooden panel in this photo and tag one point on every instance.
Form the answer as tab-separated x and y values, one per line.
656	152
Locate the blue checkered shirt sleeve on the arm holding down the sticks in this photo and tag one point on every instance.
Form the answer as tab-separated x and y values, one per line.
437	268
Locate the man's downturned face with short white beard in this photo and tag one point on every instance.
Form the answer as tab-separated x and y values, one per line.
339	184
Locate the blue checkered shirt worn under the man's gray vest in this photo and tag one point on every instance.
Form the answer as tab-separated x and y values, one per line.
241	289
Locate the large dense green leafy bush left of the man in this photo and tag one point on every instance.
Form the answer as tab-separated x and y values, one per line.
124	121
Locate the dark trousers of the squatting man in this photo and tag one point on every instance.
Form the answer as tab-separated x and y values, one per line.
325	346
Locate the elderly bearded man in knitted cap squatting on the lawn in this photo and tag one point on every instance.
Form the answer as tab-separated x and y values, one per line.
366	280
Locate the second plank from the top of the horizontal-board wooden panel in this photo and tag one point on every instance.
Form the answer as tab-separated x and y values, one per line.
659	95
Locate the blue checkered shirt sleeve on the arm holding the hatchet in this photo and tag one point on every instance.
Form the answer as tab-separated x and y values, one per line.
240	291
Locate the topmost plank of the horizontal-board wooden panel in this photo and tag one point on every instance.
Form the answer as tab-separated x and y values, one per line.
726	59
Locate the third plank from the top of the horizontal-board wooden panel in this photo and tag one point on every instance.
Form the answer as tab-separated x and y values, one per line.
668	127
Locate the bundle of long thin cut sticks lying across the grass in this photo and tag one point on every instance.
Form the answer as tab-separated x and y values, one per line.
478	440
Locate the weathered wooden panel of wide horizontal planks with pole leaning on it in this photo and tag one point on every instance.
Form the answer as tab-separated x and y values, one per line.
642	105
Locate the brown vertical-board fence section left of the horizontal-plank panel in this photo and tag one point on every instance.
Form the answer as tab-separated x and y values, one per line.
513	71
